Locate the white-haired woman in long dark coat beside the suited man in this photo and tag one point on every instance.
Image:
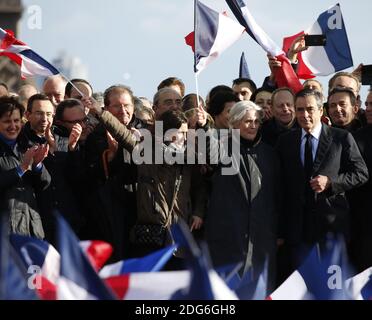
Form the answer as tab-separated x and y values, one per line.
241	224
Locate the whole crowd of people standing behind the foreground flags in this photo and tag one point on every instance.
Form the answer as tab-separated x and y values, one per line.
303	168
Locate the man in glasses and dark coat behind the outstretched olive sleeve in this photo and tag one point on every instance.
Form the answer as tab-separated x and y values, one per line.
111	169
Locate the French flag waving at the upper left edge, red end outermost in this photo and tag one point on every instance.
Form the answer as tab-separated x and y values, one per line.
30	62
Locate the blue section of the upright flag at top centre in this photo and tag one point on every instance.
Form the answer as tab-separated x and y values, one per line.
206	26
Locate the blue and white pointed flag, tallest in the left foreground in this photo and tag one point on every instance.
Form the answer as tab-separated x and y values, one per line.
78	280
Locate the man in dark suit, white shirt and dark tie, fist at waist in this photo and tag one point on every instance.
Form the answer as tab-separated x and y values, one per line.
319	164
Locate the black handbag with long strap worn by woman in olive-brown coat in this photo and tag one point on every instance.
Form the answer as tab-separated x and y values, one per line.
156	234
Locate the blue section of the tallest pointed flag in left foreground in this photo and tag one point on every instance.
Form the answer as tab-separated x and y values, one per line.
75	265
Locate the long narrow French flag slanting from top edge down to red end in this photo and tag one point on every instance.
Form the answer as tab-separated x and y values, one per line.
285	76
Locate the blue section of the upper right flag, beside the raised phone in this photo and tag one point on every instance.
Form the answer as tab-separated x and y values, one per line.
337	47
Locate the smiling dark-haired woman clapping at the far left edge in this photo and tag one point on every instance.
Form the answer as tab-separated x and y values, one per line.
22	173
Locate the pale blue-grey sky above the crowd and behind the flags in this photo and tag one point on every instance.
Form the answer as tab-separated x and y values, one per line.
139	43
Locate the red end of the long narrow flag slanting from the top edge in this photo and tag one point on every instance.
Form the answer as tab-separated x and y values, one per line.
285	76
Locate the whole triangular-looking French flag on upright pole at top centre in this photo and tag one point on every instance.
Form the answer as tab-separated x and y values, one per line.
213	33
